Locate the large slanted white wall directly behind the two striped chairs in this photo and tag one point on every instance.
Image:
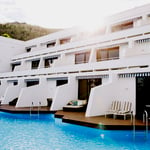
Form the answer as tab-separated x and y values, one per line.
100	99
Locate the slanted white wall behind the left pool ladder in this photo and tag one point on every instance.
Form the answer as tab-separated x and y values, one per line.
35	94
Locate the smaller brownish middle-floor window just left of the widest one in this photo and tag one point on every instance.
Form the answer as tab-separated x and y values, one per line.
82	58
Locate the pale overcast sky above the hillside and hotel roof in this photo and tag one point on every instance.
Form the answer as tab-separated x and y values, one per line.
63	13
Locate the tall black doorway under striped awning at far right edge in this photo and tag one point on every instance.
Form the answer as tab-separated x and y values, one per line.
142	95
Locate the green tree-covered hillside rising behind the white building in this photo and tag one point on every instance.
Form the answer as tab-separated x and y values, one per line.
23	31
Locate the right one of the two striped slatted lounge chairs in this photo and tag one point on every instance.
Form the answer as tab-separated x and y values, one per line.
125	110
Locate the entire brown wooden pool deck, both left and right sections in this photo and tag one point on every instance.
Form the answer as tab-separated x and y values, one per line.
79	118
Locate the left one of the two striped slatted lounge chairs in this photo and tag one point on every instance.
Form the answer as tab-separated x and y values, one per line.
115	107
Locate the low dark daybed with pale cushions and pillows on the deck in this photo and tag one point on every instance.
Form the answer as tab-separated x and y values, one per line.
76	105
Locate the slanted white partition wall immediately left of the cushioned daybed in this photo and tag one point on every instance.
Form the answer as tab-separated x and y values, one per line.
65	93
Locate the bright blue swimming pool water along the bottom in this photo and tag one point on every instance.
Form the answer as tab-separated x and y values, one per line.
22	132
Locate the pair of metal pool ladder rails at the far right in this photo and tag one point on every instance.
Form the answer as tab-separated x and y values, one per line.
145	120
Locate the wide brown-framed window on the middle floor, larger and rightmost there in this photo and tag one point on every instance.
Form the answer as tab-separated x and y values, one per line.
107	54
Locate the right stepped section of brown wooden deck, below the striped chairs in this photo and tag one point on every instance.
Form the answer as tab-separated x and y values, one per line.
99	121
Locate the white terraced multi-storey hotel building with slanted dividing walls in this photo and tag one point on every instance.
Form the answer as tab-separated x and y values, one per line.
111	64
